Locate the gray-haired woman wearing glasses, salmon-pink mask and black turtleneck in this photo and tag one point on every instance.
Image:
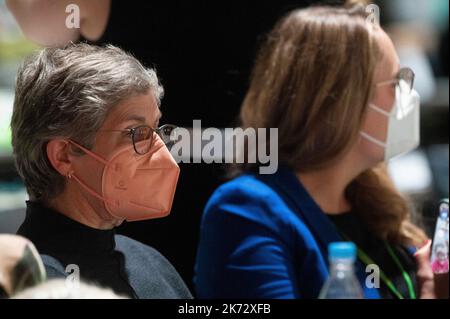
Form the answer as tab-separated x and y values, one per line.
88	148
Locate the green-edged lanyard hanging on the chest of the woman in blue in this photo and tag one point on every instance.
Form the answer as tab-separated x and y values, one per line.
367	261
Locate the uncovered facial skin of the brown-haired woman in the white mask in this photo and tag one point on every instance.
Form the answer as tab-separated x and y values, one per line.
375	123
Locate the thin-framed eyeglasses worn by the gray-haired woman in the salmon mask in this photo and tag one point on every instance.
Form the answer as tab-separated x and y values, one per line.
143	136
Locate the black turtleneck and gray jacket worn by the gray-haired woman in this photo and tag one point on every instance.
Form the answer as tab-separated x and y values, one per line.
104	258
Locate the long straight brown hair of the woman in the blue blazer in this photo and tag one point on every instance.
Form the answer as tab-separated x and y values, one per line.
313	80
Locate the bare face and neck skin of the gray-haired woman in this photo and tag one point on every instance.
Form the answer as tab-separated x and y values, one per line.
77	203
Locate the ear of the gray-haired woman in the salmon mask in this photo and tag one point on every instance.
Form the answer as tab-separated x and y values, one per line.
58	153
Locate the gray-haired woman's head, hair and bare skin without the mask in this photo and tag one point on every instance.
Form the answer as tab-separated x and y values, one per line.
81	93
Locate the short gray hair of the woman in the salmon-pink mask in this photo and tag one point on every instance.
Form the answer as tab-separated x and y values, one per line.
68	93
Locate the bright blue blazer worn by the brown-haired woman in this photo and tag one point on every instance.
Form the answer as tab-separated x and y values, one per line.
263	236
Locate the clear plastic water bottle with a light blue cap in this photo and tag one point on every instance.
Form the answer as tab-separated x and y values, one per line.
342	283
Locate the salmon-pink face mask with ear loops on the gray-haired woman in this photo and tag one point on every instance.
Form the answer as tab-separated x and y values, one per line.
136	187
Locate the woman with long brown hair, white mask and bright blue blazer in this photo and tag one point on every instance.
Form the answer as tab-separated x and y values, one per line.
331	82
